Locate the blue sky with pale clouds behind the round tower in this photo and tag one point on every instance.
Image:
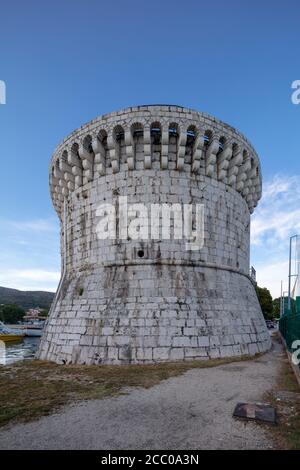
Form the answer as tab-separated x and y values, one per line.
65	62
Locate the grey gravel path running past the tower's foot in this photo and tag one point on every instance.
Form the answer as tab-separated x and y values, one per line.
191	411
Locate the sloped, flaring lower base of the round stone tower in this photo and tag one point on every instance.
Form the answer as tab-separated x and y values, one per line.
197	318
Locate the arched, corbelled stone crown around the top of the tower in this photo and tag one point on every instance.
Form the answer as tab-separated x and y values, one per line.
142	138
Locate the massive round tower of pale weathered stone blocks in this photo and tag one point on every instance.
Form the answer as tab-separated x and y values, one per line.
154	297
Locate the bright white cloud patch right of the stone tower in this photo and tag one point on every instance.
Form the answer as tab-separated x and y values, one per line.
276	218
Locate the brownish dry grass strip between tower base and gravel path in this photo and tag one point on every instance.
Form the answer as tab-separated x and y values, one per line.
32	389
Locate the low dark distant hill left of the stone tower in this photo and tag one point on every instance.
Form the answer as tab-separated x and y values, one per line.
26	299
